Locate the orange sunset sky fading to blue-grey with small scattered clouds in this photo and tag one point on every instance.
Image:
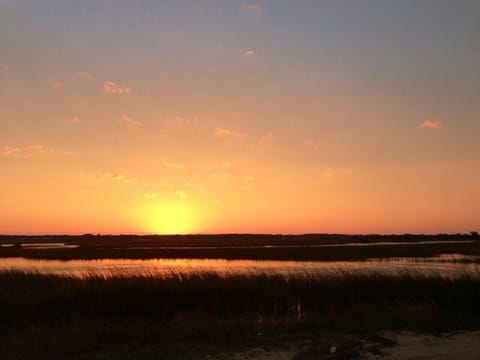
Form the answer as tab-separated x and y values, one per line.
269	116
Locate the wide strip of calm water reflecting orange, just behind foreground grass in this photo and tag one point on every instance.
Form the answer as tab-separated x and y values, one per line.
445	266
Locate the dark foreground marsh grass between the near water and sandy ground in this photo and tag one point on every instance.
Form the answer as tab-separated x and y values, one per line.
59	317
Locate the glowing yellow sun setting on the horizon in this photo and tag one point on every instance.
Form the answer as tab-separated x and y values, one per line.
171	218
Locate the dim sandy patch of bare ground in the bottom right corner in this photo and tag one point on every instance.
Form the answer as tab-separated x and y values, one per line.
387	346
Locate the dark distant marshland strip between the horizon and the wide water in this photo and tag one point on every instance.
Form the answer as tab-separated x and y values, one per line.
268	247
